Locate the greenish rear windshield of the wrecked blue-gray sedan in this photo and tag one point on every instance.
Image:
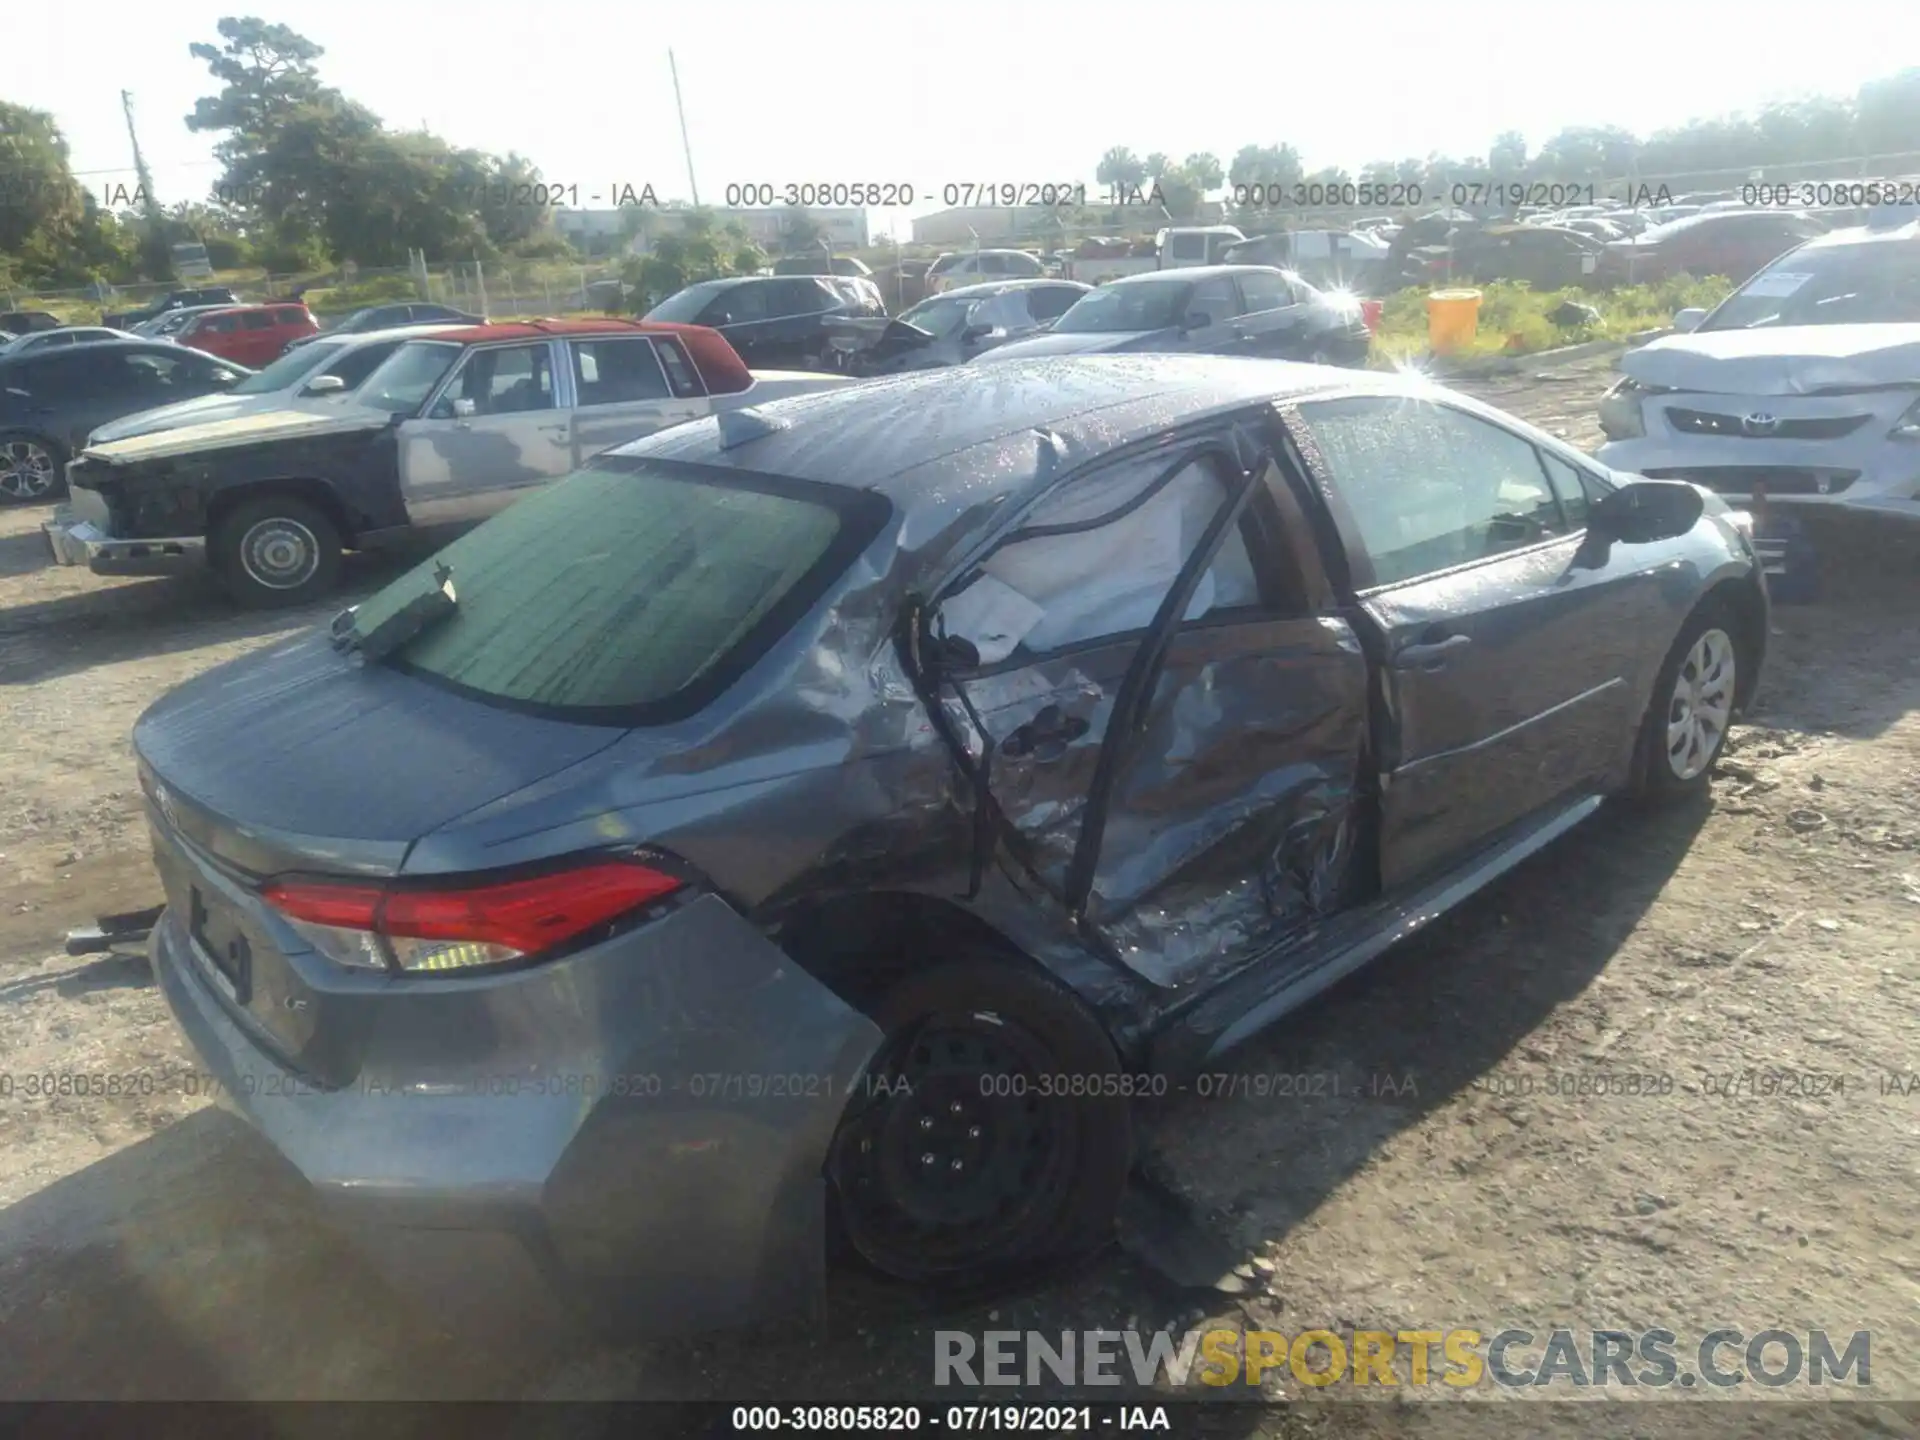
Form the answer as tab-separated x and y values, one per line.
631	592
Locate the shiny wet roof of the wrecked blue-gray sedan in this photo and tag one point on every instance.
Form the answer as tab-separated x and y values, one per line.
963	437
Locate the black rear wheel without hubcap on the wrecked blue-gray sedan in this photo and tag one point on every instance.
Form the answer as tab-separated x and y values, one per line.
992	1132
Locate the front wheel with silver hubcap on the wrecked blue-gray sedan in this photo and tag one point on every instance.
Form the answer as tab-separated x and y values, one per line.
1692	708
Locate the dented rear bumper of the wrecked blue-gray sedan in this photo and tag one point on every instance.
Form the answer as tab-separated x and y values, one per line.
621	1151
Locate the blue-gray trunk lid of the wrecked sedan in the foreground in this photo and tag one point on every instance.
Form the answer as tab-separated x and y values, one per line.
300	761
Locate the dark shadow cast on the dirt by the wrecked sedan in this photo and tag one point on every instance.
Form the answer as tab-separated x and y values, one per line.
195	1264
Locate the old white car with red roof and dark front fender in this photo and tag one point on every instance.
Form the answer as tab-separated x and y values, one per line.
448	431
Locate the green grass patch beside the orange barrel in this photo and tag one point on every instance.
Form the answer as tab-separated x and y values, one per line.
1516	318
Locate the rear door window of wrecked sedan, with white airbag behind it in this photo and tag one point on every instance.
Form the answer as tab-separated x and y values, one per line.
1051	592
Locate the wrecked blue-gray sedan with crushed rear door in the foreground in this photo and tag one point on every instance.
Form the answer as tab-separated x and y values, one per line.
834	819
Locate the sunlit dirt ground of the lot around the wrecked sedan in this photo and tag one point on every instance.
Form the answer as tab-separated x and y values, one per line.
151	1247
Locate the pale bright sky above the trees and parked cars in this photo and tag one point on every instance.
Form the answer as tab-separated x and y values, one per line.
936	95
